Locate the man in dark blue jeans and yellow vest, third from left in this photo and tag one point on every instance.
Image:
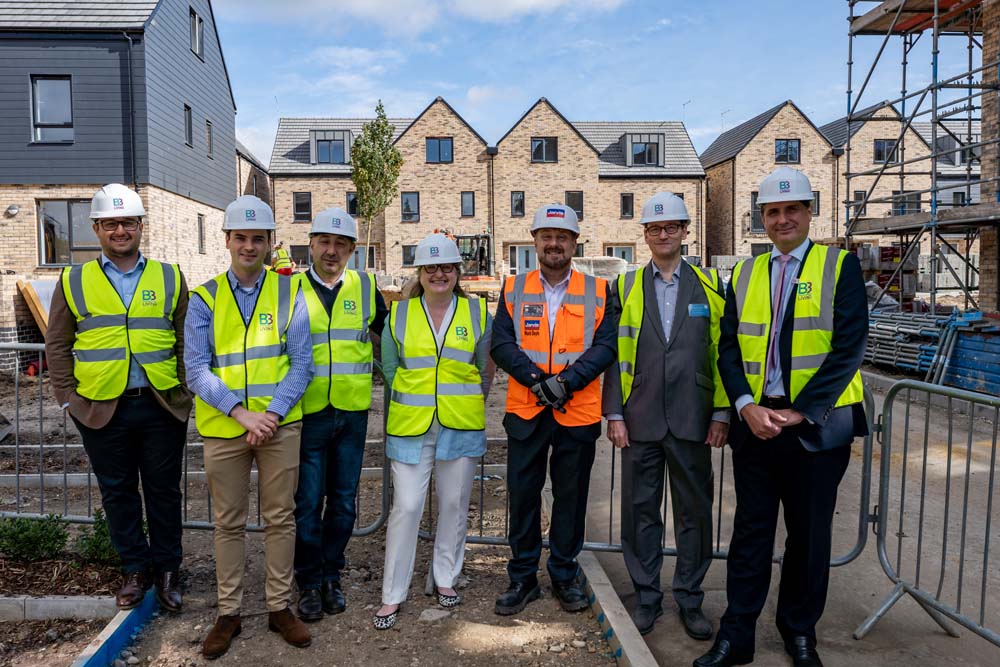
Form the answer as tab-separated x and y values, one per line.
345	311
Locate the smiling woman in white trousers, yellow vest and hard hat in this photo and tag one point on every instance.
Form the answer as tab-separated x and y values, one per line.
436	359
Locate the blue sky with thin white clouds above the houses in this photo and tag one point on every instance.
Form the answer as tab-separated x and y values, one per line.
709	63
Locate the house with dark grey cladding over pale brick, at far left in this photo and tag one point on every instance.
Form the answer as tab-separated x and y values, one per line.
106	92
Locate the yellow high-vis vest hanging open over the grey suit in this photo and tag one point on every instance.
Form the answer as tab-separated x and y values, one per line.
630	324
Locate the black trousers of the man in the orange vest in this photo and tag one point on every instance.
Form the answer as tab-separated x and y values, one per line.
572	455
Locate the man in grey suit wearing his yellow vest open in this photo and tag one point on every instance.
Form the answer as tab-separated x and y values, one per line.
665	405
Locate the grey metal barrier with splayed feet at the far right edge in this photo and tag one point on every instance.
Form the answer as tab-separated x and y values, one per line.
935	505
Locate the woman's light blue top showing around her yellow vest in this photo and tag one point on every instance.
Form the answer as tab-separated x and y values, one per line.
449	443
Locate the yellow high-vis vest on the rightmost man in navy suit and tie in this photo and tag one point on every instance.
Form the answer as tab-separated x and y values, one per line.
812	320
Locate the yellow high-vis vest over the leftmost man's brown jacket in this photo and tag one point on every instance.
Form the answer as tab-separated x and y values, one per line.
109	335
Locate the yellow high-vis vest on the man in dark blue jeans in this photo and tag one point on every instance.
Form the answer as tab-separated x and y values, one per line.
342	349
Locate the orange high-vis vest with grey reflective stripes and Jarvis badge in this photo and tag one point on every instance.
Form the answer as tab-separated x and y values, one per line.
580	314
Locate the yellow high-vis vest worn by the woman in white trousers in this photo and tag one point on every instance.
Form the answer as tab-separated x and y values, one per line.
428	381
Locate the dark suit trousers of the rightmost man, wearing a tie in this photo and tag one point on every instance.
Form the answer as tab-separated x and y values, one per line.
767	473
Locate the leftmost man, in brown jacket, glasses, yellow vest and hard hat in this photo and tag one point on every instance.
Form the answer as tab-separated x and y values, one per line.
115	335
